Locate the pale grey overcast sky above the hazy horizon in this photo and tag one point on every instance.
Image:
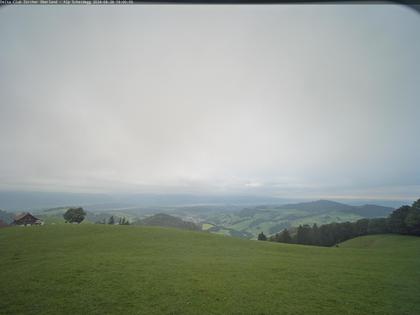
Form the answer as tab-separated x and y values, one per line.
280	100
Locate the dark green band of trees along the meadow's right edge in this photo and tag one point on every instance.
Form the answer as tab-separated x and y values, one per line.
404	220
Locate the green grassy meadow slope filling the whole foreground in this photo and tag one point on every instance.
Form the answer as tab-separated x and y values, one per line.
102	269
